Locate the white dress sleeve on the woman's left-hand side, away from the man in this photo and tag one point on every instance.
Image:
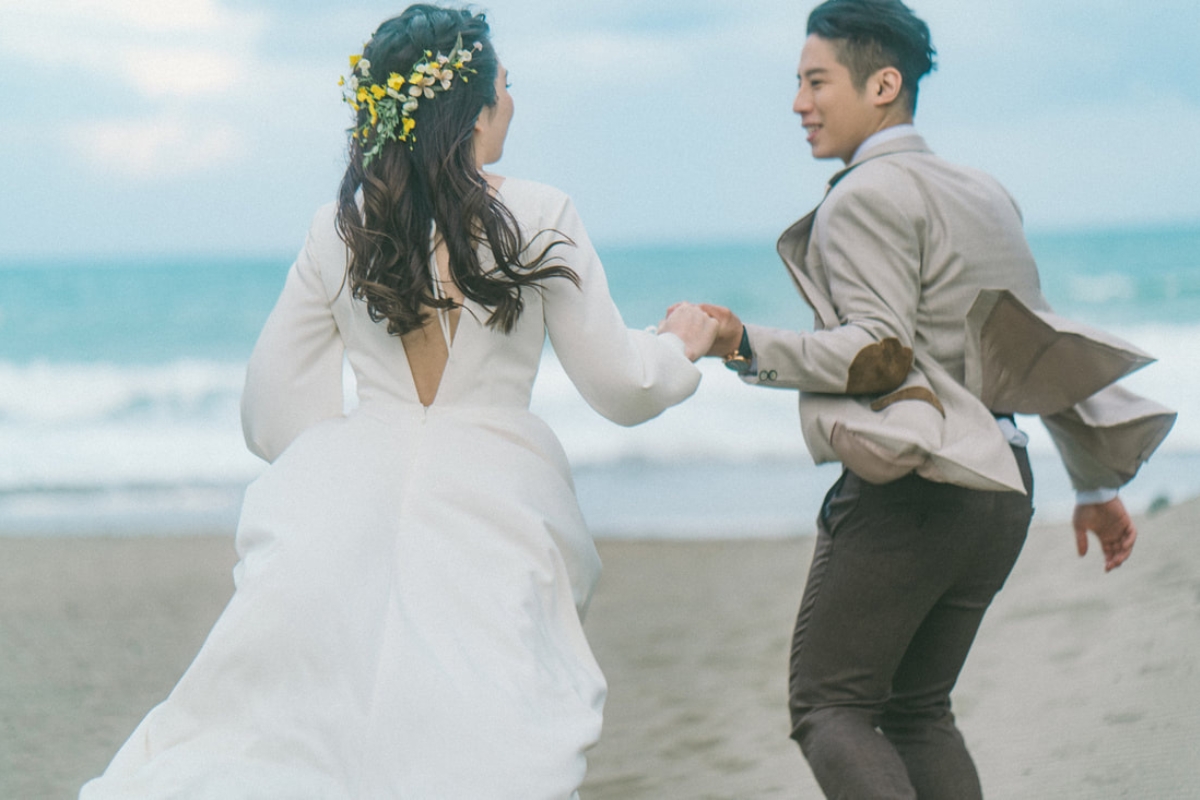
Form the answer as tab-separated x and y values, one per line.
295	376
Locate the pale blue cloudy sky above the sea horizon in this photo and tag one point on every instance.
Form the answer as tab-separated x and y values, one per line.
217	127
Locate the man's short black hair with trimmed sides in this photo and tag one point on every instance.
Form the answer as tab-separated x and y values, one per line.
875	34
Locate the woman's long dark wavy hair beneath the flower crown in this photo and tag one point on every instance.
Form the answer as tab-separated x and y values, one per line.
436	181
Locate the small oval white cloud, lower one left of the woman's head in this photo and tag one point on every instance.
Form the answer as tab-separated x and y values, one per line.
155	149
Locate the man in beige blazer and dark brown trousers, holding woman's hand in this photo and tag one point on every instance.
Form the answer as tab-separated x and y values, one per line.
913	543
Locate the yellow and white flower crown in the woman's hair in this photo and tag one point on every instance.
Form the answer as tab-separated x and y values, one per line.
394	103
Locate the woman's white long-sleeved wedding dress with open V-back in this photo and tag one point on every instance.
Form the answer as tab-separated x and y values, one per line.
412	580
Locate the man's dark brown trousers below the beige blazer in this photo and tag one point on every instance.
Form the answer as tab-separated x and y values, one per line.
901	580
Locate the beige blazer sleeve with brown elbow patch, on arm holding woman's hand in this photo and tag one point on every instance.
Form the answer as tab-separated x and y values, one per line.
871	248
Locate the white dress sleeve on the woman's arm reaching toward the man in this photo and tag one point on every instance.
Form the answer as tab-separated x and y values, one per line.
628	376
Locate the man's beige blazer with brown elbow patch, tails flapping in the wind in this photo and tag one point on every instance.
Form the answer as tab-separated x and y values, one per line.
929	320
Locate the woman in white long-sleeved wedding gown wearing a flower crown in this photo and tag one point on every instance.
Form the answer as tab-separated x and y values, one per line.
412	576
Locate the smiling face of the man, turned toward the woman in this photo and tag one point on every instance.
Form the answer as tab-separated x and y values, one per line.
837	115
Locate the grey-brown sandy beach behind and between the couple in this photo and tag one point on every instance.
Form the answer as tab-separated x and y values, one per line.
1082	685
